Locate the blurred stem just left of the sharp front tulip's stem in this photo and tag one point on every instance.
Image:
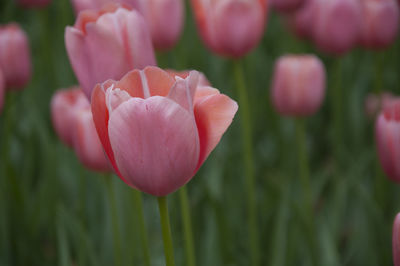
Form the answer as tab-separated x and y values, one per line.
137	195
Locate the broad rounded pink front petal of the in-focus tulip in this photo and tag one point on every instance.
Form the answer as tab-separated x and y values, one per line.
155	142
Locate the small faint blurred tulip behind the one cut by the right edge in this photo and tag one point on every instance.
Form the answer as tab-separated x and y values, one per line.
374	103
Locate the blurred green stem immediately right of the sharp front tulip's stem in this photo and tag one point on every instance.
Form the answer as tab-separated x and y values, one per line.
187	227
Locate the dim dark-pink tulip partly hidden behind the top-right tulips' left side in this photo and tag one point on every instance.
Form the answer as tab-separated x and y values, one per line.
301	21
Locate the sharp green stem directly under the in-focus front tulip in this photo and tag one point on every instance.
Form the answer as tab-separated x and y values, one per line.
166	231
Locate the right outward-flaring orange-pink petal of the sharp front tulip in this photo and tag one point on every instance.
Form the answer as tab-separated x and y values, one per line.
213	116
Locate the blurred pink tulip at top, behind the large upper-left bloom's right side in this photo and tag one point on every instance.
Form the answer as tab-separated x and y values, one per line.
165	19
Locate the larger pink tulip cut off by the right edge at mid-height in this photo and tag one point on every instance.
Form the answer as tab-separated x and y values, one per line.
387	135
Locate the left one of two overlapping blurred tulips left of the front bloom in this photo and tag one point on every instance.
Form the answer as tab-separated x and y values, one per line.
64	104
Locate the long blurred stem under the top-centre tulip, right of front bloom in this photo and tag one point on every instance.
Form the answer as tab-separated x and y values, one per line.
245	118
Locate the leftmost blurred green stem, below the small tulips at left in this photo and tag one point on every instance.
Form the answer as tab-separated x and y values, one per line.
114	220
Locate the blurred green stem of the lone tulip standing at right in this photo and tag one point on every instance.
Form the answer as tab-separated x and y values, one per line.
306	188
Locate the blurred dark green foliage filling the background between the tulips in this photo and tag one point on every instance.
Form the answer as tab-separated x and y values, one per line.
53	211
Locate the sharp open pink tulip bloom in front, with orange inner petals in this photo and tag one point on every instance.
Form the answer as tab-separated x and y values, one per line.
156	130
